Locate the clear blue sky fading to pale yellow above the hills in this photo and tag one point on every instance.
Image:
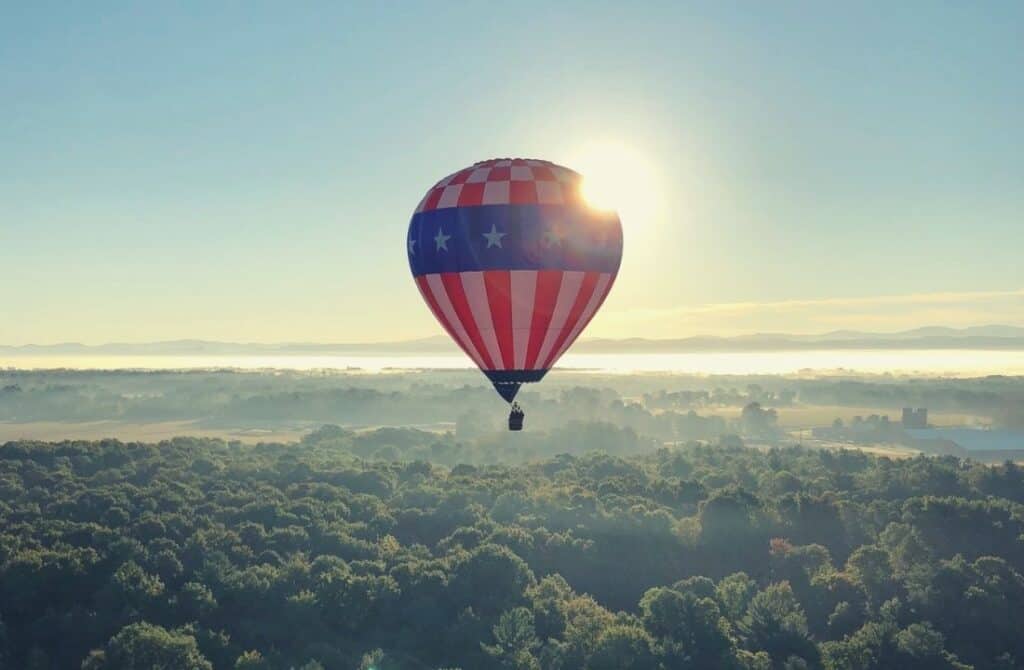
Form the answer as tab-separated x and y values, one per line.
246	172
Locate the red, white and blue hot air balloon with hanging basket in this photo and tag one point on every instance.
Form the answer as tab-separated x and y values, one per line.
514	264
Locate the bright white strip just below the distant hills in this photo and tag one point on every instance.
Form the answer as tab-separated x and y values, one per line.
954	363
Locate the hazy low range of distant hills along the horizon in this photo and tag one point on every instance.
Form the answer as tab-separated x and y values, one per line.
978	338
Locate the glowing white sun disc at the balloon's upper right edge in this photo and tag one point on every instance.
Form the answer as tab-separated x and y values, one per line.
618	178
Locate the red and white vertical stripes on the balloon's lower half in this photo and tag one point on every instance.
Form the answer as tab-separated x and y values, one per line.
516	320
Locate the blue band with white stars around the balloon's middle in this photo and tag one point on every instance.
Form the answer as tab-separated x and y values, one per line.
515	237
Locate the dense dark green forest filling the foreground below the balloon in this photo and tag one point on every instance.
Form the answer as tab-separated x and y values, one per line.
396	550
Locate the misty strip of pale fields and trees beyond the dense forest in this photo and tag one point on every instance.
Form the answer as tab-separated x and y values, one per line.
662	407
